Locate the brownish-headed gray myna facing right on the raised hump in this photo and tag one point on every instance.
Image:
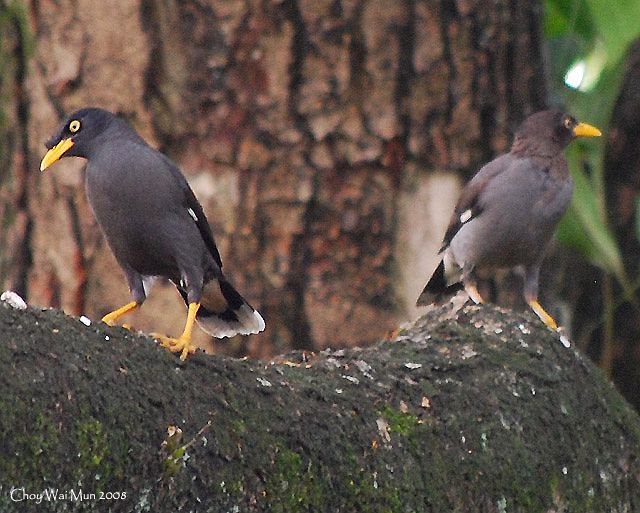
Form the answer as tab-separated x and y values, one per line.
507	213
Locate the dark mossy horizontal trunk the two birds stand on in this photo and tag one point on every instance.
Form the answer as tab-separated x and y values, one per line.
473	410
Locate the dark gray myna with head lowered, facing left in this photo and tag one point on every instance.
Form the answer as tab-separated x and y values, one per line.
154	224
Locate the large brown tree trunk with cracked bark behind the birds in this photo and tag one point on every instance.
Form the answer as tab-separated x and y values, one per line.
325	138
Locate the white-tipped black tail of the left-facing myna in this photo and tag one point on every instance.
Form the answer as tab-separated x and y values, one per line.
224	312
